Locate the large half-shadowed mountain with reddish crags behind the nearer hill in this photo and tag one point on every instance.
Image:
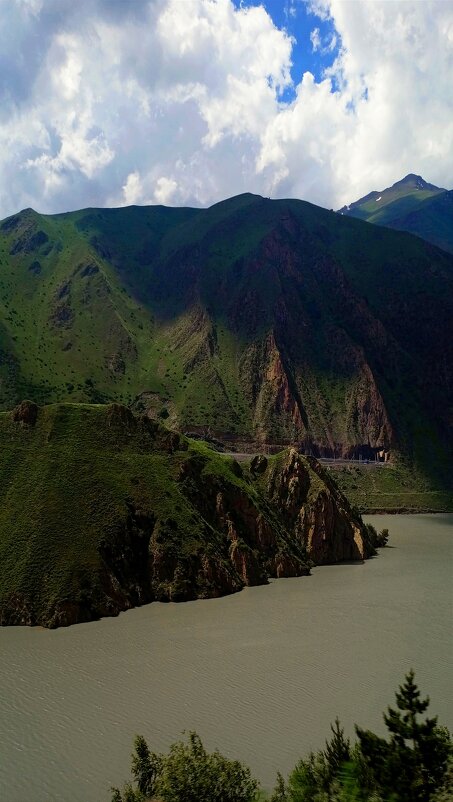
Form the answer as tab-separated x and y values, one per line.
257	322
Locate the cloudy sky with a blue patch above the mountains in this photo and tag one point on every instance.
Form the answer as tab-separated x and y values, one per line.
187	102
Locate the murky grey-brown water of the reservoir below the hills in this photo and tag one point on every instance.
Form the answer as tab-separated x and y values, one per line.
260	674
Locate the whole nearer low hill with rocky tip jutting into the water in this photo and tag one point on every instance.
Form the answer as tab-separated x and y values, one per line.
102	510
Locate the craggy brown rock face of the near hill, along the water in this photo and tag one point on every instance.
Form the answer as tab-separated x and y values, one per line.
298	520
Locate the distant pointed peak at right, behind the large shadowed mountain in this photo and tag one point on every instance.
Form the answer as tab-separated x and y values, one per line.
410	205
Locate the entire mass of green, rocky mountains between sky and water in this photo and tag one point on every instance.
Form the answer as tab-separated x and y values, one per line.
256	324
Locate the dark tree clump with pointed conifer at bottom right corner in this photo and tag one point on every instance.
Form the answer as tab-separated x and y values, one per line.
412	765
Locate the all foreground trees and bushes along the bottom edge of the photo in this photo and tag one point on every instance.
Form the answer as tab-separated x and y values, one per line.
412	765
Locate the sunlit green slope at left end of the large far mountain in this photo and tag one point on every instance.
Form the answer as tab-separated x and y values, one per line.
58	358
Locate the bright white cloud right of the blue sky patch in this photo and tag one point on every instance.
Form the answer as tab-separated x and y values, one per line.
332	147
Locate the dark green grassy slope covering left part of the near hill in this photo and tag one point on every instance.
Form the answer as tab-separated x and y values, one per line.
76	473
